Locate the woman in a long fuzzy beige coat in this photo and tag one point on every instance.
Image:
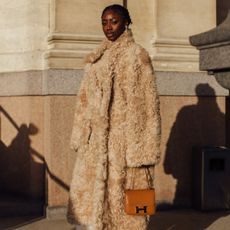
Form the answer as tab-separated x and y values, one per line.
116	128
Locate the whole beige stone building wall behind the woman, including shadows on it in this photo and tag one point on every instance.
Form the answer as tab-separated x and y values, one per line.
42	52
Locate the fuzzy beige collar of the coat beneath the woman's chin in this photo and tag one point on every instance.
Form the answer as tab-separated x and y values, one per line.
123	41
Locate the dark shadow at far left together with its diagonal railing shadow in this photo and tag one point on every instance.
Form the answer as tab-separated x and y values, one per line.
22	180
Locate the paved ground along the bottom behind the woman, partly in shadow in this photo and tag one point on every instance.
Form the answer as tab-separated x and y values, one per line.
164	220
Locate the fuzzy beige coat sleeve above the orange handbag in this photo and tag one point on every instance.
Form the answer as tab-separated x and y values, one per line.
144	123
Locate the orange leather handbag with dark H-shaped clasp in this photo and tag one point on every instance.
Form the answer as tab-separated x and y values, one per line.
140	202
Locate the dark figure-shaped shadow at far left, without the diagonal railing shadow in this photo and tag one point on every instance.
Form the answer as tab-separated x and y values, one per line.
16	165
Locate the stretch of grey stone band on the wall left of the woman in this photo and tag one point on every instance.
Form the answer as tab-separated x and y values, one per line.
40	82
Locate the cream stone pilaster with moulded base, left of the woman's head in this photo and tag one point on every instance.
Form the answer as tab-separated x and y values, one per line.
75	30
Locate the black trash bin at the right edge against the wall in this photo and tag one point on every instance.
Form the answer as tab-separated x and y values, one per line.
211	178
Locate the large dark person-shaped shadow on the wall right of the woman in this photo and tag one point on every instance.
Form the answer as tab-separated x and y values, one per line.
201	124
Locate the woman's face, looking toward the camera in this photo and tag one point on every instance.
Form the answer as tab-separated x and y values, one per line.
113	24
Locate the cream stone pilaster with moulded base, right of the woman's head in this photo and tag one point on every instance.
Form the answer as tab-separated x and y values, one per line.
163	28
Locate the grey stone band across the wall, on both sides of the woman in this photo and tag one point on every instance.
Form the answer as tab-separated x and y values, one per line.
67	82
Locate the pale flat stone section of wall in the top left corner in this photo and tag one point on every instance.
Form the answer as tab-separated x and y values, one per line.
24	28
